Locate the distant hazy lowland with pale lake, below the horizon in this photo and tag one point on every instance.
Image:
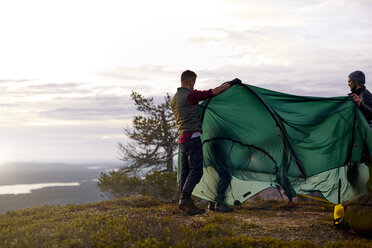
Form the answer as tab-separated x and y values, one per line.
32	184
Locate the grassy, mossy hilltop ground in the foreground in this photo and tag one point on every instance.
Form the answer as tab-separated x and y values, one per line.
146	222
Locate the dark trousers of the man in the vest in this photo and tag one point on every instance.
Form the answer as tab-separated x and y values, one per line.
191	165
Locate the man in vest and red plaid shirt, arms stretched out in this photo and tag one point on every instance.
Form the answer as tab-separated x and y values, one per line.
184	105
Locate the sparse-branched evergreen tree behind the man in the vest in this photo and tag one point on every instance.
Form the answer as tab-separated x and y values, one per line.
154	135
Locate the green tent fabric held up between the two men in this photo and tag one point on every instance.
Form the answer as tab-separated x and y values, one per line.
254	139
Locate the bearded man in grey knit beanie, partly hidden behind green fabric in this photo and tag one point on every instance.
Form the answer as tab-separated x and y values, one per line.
363	99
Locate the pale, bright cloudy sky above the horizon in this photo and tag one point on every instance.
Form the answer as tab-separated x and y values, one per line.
67	68
